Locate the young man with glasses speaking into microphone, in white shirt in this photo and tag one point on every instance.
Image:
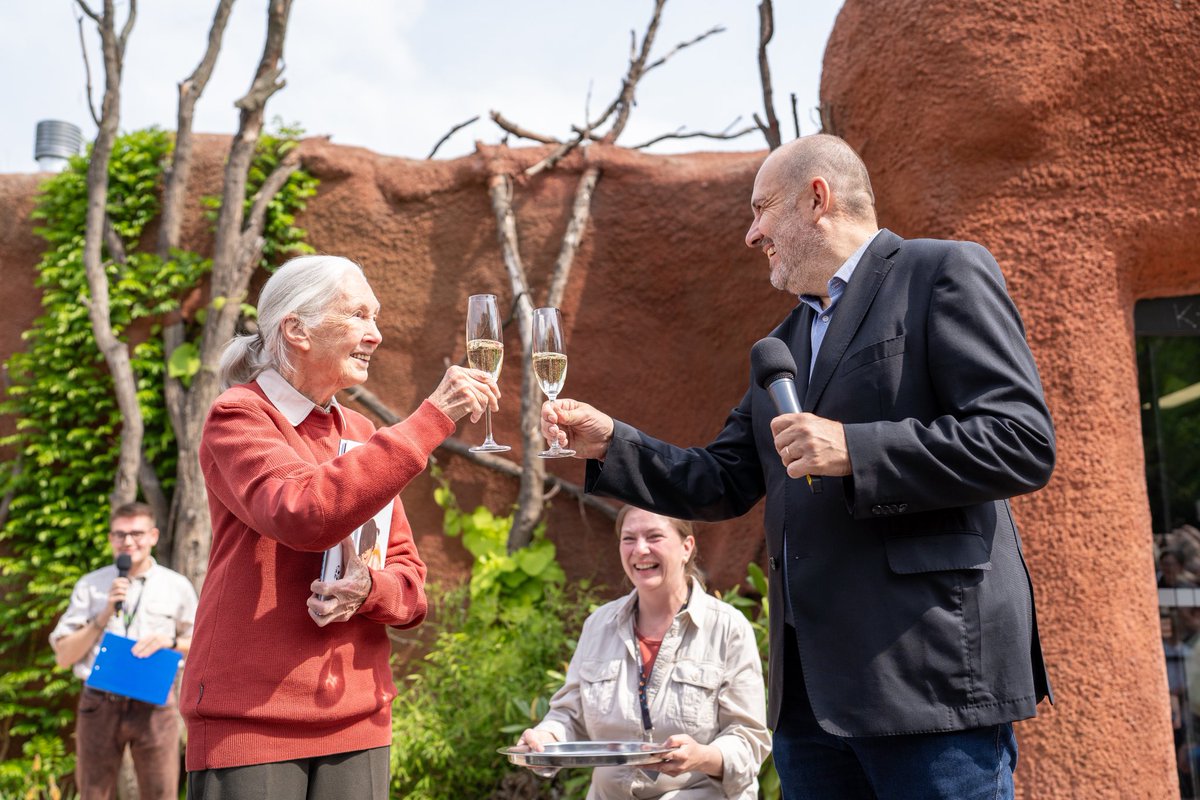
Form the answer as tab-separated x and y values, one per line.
155	607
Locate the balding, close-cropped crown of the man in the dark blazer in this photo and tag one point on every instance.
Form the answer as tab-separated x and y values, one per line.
830	158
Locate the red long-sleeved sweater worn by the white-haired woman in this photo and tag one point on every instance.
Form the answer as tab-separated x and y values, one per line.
263	683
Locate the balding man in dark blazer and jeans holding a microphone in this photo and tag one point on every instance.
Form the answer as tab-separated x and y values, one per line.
903	633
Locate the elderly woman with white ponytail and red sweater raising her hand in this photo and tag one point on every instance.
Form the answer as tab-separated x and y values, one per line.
289	689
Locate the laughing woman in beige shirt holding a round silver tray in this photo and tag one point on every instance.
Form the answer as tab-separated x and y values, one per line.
667	664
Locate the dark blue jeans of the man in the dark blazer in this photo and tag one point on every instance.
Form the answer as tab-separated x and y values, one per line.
975	765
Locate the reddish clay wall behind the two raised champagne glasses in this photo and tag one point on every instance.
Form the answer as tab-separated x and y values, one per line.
662	309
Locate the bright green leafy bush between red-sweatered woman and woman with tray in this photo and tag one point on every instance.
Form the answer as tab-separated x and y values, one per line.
501	651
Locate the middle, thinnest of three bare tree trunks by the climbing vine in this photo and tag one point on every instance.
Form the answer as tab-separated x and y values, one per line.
187	498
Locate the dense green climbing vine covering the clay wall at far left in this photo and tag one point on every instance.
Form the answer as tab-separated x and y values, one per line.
68	423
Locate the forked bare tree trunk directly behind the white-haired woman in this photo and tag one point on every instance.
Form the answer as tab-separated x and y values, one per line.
239	242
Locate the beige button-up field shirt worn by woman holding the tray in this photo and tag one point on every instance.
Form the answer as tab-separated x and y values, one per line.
707	683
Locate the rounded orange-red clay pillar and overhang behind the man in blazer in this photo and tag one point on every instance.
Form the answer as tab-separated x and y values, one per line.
1065	136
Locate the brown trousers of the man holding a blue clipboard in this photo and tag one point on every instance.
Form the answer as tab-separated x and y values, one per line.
105	725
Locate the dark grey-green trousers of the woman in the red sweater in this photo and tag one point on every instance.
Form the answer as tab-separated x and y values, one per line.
362	775
